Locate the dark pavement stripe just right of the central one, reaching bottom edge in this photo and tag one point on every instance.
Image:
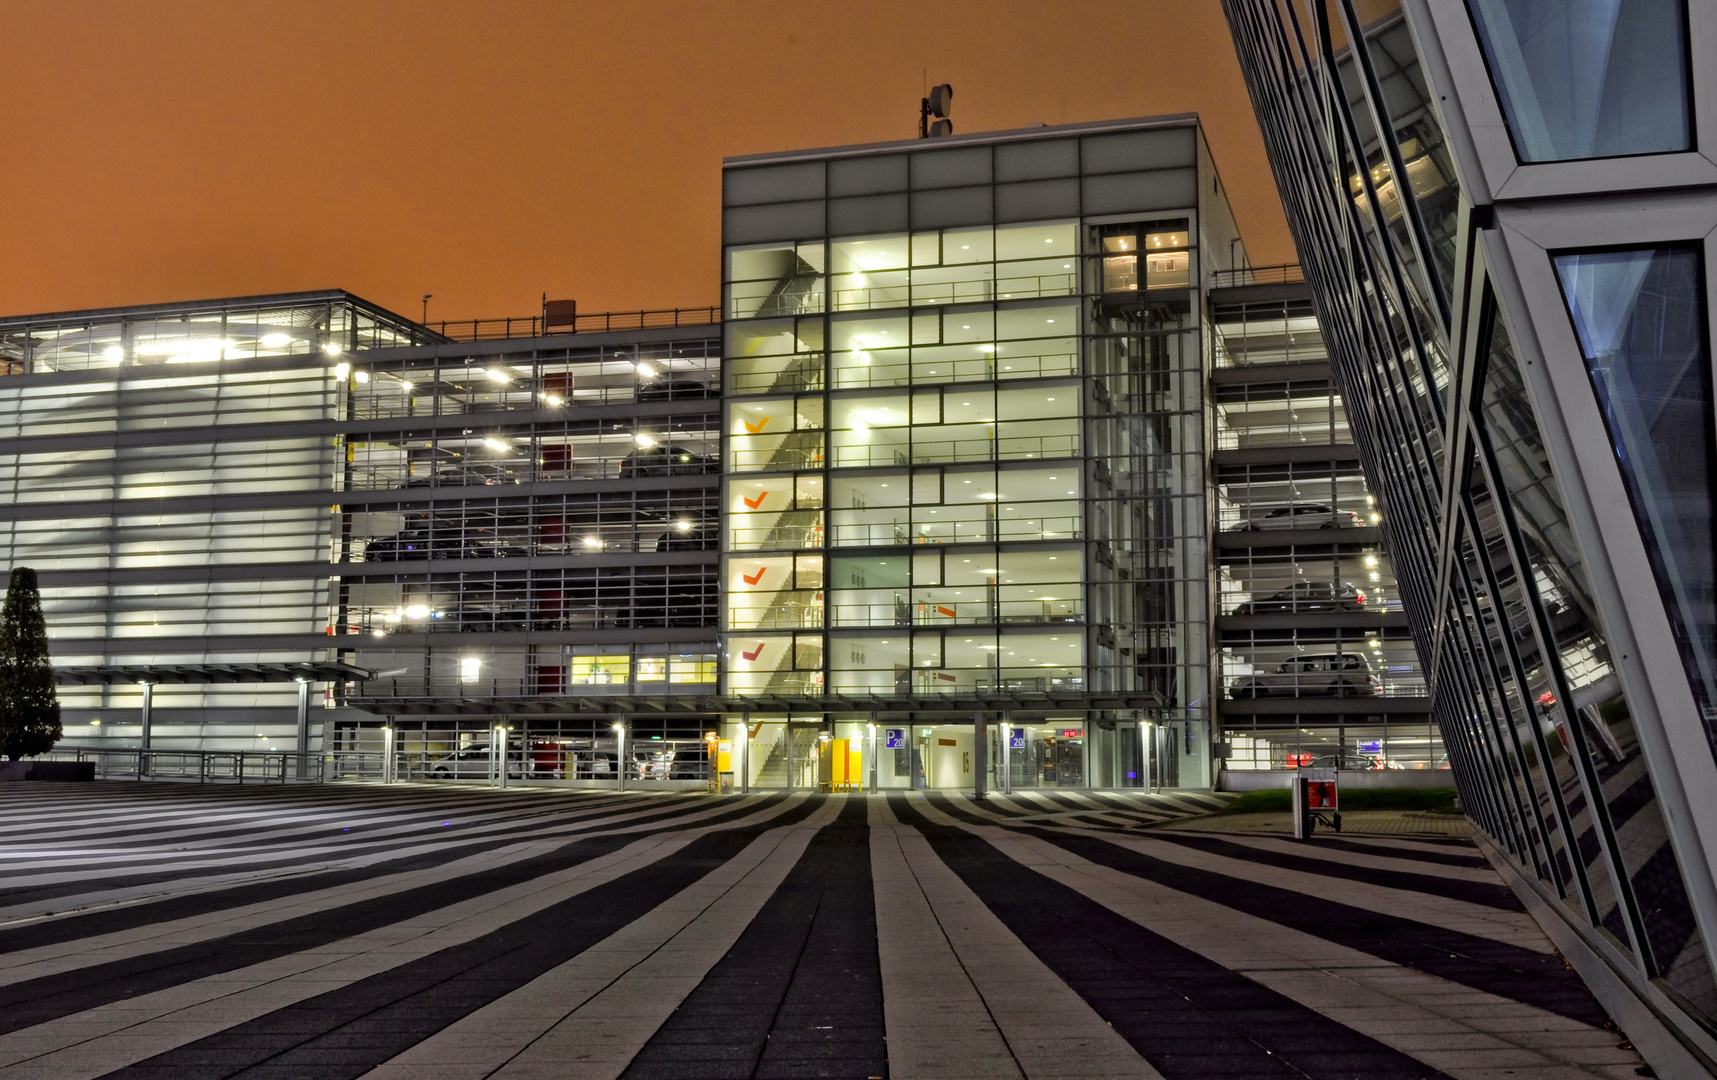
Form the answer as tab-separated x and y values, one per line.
1187	1016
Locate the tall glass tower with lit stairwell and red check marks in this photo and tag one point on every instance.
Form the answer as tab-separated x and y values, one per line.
966	459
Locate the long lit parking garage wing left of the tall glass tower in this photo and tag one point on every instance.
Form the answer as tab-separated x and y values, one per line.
306	478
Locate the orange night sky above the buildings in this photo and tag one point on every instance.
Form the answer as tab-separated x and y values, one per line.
487	154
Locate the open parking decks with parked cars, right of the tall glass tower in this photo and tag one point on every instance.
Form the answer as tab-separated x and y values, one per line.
1318	664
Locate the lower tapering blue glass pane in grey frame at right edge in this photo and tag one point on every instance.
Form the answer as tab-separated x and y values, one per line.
1641	319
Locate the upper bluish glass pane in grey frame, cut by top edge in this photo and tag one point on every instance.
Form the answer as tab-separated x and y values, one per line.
1589	78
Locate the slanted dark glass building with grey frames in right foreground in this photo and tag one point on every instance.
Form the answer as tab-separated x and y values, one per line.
1505	217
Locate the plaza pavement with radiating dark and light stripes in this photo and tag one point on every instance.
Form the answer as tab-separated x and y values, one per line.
416	933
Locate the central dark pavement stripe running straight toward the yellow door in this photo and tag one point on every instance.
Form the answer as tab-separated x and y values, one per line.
801	993
